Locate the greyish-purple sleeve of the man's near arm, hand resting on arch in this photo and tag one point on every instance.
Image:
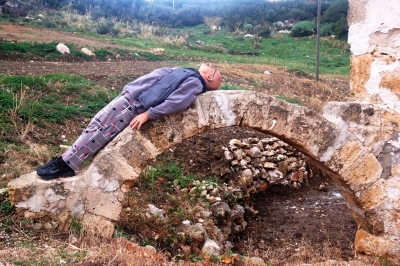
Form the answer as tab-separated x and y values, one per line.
179	100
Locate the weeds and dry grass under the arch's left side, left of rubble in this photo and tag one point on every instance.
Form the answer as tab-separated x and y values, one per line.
163	184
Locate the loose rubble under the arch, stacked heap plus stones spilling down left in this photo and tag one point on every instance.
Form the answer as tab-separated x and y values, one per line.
260	163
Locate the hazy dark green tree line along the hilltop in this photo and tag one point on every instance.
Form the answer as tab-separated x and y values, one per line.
231	14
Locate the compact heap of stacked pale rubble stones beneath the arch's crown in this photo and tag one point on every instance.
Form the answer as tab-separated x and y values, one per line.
266	162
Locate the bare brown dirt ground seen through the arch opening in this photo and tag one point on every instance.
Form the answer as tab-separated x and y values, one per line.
288	218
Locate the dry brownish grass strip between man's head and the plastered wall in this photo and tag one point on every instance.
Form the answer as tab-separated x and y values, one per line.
309	92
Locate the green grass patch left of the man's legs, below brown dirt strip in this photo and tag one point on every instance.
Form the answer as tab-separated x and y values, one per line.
36	99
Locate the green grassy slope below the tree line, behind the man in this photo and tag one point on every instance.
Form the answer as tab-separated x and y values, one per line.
222	46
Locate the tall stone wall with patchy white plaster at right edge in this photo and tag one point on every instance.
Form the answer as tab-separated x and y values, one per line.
374	36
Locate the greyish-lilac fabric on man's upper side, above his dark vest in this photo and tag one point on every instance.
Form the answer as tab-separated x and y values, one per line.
144	82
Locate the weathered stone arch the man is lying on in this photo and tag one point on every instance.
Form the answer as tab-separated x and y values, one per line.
346	142
